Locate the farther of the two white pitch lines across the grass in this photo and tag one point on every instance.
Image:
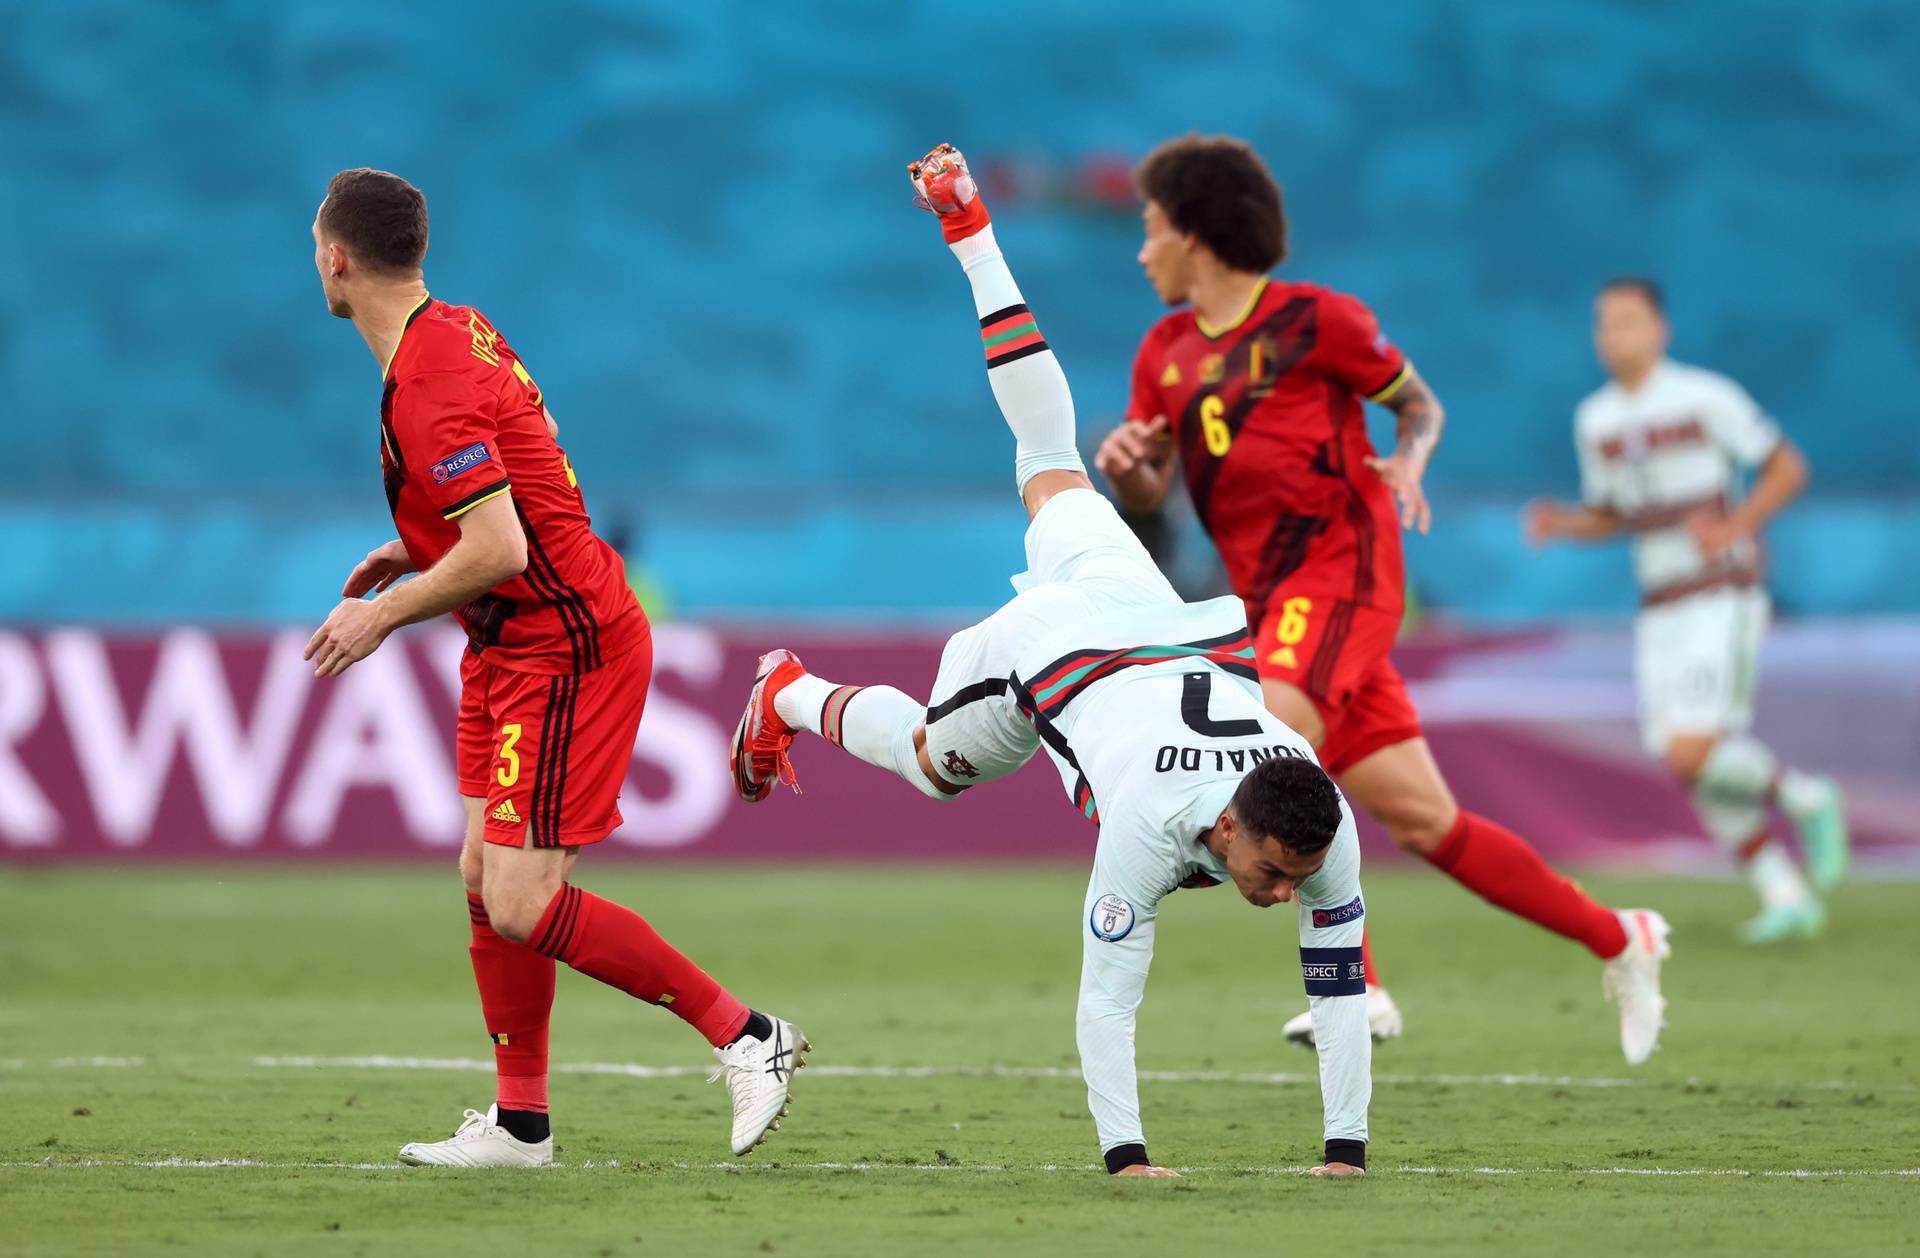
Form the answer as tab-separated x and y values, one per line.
633	1071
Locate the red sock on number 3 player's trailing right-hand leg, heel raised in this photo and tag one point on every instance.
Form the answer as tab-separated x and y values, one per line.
615	946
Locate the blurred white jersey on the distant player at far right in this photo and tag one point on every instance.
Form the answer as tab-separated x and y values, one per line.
1666	452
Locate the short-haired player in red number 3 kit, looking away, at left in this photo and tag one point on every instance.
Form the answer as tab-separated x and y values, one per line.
552	685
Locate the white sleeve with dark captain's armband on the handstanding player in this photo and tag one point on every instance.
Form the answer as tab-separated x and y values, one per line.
1332	921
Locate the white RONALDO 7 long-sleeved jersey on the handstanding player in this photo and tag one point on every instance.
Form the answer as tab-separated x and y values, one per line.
1153	725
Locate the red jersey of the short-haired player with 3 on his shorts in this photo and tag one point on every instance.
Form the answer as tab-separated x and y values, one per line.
460	425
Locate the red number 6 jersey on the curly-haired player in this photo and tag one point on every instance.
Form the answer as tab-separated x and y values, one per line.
1274	441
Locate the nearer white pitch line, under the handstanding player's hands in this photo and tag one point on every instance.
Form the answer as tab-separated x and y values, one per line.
978	1169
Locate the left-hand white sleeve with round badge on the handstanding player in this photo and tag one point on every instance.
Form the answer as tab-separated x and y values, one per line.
1130	877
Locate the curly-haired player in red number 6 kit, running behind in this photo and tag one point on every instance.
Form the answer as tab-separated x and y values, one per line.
1257	393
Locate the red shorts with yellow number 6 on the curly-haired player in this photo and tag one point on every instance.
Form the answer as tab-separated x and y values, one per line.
1335	652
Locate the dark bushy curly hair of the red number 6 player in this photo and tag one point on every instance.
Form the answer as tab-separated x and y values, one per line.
1218	191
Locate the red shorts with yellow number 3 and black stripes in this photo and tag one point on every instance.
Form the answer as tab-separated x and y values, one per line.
550	754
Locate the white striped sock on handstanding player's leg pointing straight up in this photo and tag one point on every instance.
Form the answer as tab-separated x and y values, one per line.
1028	385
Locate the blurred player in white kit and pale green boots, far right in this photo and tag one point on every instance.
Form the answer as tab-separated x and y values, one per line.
1662	454
